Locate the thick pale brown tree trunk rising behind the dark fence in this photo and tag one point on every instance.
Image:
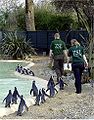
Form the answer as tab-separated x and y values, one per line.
30	25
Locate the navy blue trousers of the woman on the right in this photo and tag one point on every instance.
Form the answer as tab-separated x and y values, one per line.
77	70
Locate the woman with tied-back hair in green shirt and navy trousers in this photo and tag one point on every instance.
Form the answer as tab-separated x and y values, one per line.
79	62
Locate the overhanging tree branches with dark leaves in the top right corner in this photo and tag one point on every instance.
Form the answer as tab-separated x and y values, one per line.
81	7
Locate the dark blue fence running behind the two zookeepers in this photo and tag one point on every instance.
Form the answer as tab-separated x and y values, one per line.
42	39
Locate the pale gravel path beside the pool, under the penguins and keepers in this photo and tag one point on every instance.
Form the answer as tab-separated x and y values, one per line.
65	105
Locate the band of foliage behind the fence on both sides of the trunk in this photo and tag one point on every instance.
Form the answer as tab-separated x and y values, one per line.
47	17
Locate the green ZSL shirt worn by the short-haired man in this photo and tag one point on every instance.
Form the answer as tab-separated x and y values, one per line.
57	47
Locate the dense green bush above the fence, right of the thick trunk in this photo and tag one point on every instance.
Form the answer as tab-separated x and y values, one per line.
45	20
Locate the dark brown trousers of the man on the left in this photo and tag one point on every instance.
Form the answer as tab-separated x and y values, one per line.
58	65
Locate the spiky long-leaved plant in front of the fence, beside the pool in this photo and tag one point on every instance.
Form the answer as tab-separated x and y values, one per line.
16	46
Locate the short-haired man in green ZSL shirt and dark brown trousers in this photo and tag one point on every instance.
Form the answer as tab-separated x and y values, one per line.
58	50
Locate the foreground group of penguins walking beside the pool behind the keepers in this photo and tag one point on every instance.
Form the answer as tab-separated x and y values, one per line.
38	94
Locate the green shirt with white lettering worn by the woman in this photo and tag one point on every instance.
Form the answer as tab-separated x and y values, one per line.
77	53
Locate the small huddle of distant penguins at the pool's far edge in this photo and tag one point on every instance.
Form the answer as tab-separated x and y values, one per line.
25	71
